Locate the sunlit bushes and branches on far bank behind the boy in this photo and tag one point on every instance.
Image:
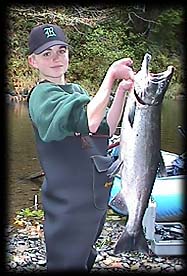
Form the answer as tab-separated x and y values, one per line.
98	35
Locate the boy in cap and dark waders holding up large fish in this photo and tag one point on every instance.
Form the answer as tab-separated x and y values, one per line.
72	133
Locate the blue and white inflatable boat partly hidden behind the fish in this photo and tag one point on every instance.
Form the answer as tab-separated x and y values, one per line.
167	193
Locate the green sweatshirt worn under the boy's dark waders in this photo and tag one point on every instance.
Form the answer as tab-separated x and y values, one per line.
59	111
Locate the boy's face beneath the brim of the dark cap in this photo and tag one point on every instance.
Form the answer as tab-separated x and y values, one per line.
52	62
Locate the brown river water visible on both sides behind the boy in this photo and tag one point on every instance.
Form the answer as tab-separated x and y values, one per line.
22	155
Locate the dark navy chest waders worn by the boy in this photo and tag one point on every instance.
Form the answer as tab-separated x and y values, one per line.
75	199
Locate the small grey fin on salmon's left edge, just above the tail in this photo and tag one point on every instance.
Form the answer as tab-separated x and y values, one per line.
118	204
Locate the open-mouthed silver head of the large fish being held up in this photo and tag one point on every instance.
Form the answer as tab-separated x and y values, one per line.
150	88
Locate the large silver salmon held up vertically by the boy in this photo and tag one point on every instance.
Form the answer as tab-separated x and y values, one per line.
140	152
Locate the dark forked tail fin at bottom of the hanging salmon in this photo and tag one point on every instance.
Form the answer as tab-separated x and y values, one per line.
129	242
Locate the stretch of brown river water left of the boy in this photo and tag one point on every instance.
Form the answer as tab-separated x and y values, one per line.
22	159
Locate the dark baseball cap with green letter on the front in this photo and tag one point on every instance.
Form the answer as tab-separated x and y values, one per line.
44	36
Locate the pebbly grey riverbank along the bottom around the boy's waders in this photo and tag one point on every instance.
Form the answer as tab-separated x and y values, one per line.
25	252
